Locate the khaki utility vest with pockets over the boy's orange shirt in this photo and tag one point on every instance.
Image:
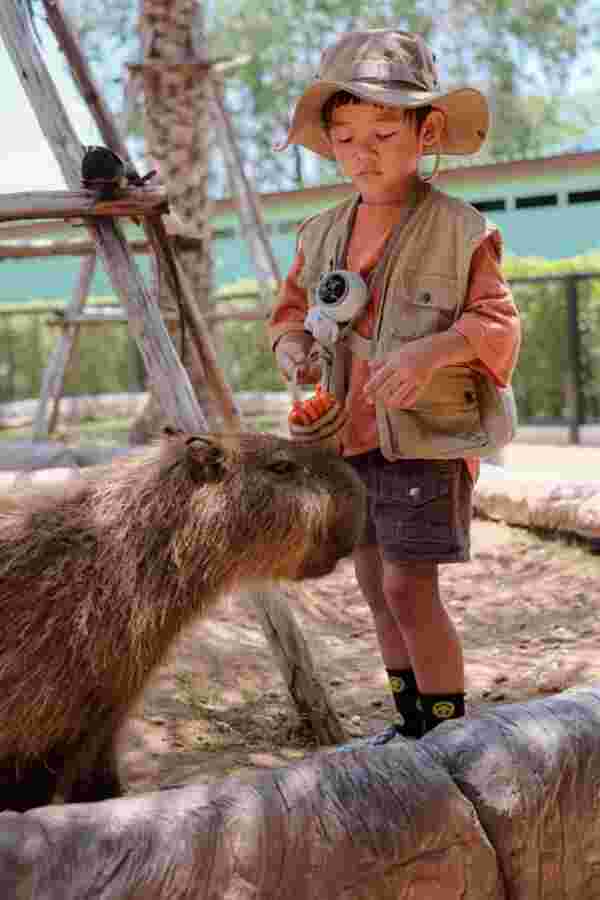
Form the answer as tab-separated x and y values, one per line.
423	287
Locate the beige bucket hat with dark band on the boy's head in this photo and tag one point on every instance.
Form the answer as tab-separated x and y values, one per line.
391	68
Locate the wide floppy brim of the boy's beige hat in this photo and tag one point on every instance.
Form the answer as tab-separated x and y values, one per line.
466	109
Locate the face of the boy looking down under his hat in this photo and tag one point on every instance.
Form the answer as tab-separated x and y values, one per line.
378	149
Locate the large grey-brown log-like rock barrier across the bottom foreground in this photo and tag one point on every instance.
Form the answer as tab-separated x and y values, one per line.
503	805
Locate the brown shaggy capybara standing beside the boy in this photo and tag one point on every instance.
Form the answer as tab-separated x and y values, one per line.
98	579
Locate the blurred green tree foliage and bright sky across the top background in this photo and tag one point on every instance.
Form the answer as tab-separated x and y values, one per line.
520	53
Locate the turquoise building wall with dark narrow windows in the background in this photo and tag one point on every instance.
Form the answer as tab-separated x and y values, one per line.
548	208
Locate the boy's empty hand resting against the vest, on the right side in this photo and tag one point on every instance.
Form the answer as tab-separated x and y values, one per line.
397	380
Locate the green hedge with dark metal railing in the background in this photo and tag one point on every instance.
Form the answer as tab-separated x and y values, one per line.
557	379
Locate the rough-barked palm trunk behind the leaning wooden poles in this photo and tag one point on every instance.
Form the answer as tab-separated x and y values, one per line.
177	136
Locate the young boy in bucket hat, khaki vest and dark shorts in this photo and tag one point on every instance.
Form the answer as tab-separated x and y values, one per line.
439	317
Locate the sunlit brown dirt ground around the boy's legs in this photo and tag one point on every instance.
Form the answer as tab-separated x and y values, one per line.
527	610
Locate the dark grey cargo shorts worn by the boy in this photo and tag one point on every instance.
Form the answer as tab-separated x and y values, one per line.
418	509
